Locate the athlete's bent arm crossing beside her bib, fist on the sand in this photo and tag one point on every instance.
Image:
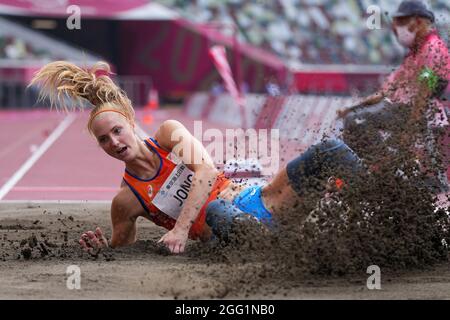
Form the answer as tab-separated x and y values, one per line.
174	137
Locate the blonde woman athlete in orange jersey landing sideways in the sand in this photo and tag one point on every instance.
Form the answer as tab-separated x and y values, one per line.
169	178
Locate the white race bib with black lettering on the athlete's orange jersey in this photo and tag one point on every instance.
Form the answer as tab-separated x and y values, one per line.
174	192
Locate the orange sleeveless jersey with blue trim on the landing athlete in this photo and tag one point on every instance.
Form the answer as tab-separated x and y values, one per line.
163	195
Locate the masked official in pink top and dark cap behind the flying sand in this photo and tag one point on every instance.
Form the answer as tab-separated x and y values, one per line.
425	71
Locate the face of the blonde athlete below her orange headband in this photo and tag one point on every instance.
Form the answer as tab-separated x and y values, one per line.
115	135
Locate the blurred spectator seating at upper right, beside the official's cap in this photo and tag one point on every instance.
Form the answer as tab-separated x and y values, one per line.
310	31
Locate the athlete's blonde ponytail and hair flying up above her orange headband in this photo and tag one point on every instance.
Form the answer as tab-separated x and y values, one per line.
61	79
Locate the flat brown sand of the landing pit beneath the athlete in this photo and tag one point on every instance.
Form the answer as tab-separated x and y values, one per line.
39	242
